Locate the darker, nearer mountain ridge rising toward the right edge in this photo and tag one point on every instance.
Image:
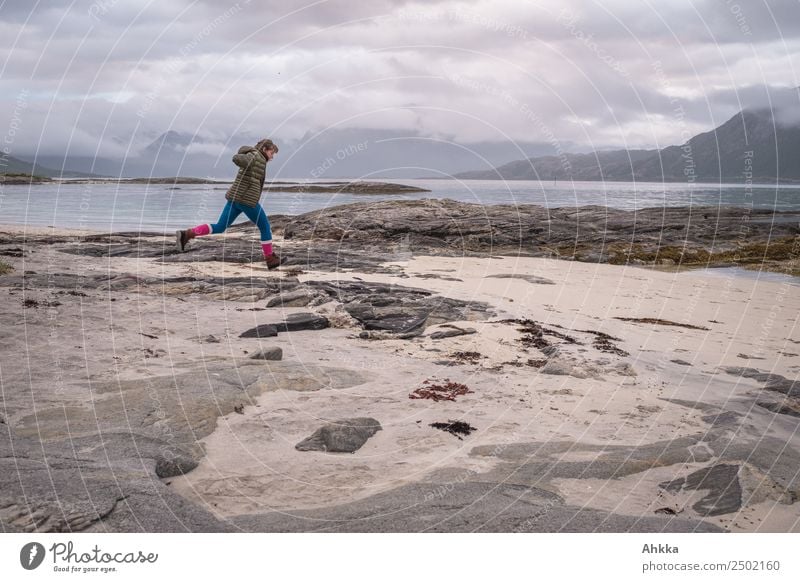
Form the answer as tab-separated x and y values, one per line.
754	145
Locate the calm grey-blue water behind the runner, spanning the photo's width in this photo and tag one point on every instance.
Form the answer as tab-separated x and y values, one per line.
160	208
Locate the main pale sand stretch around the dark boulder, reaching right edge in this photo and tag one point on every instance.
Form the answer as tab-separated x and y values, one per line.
251	463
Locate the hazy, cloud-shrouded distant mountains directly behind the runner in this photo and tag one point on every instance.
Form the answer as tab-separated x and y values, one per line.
338	153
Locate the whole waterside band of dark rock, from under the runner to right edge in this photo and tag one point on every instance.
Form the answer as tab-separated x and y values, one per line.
366	236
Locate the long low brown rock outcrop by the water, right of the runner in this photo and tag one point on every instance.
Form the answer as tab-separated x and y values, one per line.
699	236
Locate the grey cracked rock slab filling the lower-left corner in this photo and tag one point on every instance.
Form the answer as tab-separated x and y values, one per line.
96	485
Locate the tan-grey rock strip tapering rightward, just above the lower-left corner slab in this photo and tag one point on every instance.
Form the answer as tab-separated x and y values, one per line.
180	408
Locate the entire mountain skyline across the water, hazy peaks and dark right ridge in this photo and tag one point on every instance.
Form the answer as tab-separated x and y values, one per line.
754	144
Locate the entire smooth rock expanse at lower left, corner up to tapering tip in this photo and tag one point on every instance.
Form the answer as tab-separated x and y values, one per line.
105	476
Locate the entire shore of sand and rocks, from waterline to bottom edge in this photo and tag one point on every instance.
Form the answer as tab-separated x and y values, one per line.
414	366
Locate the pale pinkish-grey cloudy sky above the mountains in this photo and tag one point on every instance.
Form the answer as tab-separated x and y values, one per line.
109	76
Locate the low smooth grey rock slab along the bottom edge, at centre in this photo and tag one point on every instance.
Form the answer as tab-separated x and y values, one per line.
458	506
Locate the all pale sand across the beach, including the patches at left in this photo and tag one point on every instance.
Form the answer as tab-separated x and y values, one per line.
594	400
